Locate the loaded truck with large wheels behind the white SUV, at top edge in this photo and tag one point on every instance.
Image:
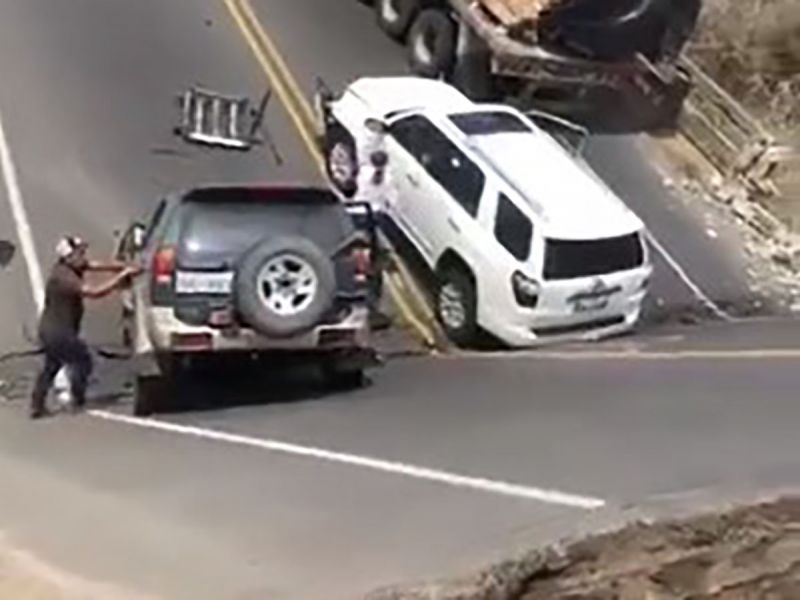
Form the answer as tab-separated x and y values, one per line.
566	56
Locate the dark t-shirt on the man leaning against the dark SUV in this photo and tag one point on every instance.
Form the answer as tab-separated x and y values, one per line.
63	303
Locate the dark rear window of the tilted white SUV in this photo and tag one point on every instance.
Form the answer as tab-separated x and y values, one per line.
570	259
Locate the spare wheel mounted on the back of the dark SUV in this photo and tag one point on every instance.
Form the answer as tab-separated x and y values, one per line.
284	286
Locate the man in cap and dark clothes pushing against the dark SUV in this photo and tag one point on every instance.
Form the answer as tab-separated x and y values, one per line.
60	322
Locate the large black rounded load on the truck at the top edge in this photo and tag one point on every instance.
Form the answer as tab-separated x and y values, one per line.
618	30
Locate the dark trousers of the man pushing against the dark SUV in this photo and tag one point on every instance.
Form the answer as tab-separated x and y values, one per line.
60	351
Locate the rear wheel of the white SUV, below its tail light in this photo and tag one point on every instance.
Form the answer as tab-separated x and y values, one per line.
457	307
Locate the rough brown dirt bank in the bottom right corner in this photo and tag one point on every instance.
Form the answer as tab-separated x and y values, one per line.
743	554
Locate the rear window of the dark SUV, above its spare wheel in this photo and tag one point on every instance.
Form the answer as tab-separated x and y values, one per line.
214	235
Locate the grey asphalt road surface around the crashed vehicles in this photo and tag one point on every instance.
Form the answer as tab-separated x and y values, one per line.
276	488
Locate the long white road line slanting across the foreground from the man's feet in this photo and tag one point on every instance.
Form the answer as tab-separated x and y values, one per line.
375	464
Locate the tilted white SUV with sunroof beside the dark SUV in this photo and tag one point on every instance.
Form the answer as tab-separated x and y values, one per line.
527	243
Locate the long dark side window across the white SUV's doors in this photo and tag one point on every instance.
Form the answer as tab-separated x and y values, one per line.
442	159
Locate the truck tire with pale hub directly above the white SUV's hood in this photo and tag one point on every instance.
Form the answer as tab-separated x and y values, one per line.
432	44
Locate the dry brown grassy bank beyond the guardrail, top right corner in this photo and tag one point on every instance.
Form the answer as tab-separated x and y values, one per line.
752	47
